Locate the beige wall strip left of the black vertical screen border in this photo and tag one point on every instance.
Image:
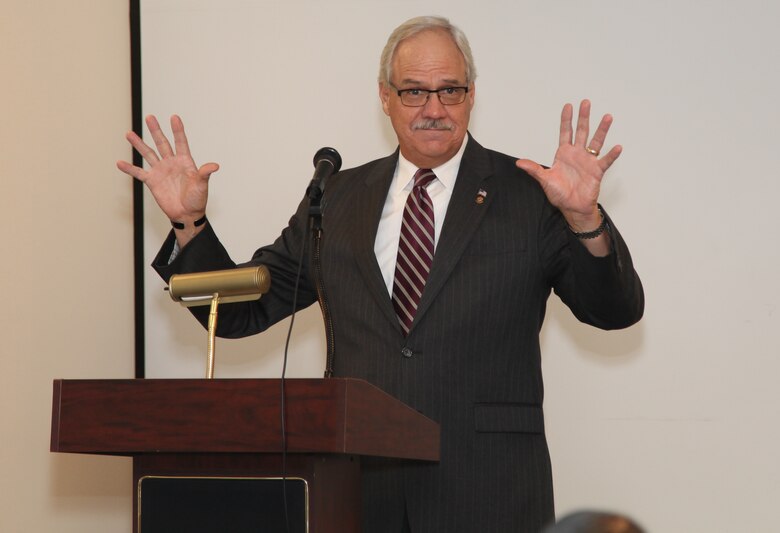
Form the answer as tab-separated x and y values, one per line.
66	268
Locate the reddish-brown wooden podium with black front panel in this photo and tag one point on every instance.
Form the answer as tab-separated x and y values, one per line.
200	437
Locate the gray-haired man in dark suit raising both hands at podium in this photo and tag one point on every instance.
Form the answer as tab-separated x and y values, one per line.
455	337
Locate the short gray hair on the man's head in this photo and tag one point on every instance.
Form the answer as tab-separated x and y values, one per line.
417	25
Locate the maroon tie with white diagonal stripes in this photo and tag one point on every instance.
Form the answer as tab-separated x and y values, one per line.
415	249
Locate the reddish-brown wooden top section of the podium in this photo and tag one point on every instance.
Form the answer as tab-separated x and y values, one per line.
141	416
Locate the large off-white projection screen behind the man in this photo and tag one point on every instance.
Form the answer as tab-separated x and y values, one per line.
652	421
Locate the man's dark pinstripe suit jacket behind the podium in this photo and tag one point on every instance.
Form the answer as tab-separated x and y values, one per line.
471	360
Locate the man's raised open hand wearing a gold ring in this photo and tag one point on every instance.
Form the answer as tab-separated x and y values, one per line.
573	182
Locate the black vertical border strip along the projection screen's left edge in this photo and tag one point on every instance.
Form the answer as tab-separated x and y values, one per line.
138	199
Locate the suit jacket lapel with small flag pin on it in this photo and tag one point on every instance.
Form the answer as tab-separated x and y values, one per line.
464	213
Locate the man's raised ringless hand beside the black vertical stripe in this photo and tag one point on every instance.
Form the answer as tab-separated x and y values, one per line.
178	186
